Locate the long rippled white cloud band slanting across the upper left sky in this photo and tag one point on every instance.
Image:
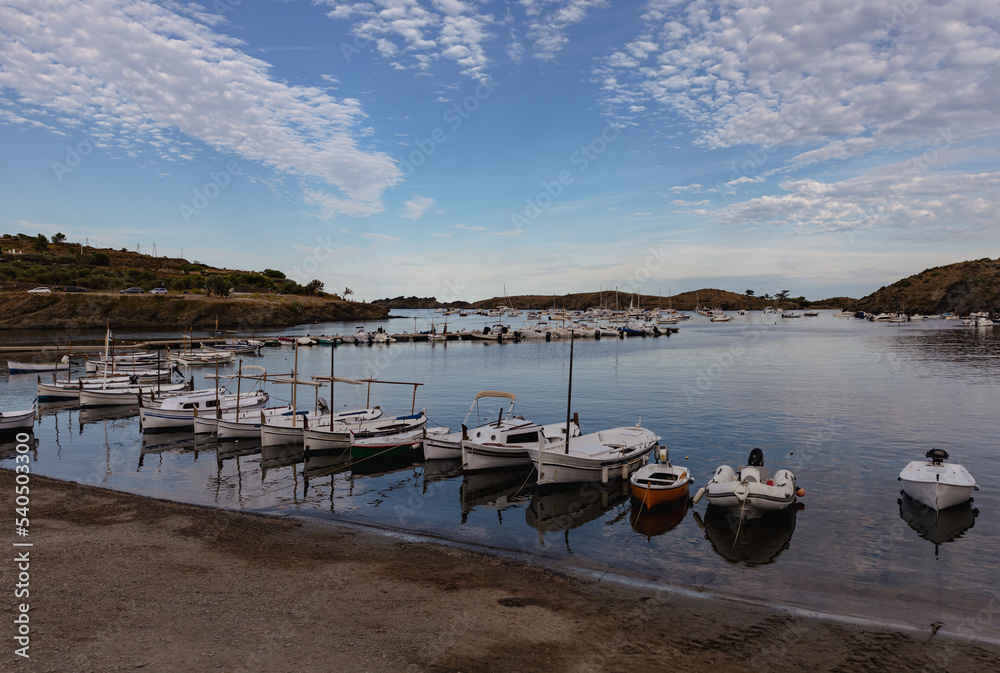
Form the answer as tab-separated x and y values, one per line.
141	75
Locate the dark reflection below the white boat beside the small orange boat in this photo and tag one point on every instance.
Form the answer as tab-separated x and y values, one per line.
571	508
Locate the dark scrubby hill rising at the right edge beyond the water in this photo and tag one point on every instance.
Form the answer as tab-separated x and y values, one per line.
961	288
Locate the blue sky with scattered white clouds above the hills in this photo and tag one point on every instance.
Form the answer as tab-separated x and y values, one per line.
465	149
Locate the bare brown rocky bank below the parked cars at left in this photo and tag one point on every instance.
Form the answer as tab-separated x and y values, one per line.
20	310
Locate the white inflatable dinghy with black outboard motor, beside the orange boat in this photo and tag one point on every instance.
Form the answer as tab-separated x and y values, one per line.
751	493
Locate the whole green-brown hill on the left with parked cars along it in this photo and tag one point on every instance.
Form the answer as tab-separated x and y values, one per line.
199	295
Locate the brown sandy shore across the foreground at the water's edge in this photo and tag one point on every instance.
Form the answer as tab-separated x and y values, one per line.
122	582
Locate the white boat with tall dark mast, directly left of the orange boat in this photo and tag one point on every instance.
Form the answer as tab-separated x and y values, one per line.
597	456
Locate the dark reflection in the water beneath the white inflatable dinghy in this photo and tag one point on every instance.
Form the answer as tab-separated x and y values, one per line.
752	542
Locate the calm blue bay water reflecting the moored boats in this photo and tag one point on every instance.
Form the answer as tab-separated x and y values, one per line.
842	403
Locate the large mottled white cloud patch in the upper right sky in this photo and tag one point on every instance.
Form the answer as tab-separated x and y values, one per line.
848	79
